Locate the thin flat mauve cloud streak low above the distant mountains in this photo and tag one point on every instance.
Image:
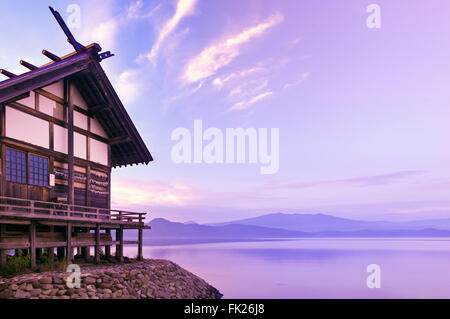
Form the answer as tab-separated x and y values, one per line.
357	181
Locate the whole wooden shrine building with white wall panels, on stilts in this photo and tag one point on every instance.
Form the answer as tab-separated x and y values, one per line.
63	128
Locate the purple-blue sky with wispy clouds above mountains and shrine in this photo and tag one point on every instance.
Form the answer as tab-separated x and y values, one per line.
363	113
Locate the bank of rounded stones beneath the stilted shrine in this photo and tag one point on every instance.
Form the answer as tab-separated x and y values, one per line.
151	278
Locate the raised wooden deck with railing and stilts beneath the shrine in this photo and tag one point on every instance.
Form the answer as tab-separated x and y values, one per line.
48	225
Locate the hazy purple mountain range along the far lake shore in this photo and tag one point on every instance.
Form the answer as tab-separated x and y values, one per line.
279	225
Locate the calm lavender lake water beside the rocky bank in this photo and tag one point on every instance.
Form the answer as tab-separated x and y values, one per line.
317	268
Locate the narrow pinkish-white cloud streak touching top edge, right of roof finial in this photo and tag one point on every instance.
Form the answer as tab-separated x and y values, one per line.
184	8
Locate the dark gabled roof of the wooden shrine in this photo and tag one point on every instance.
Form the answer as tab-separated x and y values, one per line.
84	70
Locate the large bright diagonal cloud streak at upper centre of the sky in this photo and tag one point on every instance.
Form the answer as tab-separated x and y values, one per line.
218	55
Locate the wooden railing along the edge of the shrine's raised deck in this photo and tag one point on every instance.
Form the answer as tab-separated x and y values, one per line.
12	206
